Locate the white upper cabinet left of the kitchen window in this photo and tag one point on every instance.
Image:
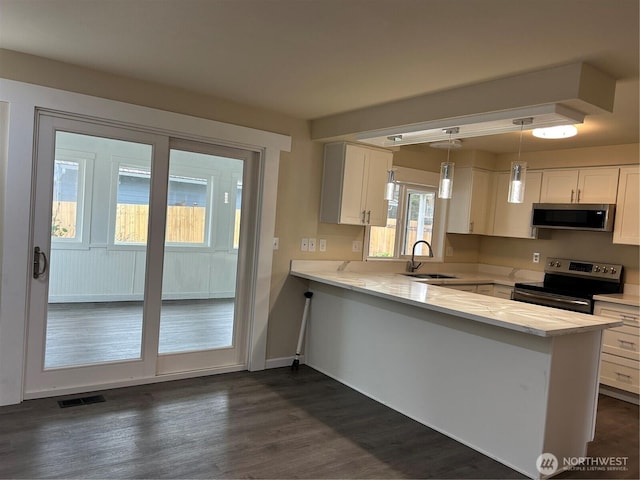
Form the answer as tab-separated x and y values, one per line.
353	182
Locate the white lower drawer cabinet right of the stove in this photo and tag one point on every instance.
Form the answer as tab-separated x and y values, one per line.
620	366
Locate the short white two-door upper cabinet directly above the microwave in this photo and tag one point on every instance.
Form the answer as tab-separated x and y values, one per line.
585	185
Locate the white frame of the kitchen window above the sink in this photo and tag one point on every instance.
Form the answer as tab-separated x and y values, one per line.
413	179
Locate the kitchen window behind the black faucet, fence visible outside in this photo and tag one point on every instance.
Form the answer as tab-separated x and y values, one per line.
411	216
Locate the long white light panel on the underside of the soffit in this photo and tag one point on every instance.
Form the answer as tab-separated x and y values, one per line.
490	123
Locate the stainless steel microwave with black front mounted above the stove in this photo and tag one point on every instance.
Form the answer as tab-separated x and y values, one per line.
574	216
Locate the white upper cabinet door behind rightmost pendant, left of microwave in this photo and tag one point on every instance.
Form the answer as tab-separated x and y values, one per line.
514	219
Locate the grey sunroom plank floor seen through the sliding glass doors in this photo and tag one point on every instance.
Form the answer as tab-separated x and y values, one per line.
94	332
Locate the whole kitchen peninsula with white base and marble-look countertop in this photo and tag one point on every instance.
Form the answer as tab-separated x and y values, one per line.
509	379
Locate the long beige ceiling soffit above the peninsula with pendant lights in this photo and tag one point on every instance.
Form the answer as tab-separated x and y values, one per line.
558	95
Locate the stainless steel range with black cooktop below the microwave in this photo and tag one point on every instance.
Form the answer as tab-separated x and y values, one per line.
571	284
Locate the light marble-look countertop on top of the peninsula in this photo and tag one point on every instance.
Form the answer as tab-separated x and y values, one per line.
533	319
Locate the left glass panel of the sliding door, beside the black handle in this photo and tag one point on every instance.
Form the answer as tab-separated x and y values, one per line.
96	274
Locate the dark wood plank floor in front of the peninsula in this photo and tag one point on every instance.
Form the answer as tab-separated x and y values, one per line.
271	424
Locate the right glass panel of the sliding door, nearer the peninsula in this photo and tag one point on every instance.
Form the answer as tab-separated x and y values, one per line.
201	252
